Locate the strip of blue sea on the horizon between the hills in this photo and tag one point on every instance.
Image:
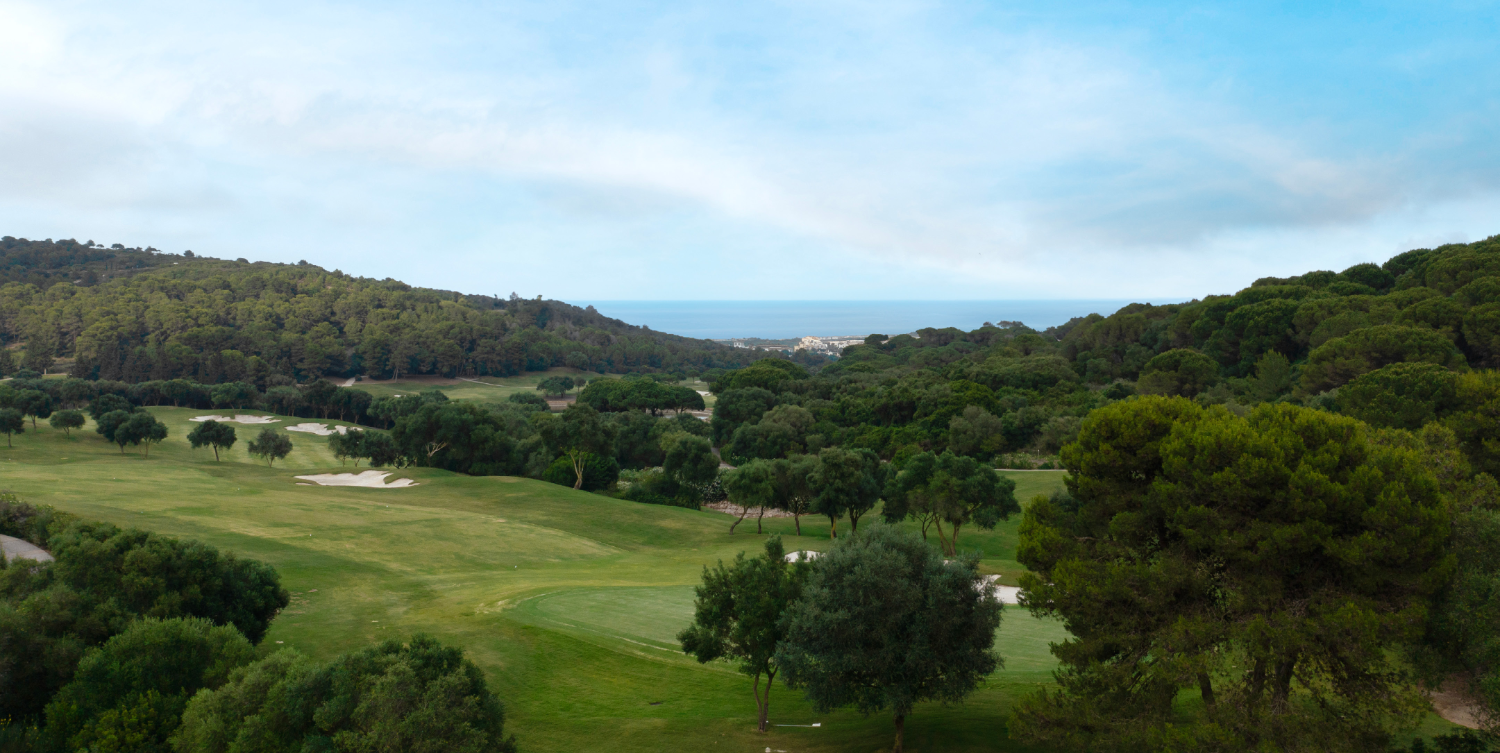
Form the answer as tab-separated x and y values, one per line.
827	319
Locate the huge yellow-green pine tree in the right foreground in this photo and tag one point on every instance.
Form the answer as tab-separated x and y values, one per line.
1274	563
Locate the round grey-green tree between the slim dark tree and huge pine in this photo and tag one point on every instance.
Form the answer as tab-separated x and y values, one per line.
886	623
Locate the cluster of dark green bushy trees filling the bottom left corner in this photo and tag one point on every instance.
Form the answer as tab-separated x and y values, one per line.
131	641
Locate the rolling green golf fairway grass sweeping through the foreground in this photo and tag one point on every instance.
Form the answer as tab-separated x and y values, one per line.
571	602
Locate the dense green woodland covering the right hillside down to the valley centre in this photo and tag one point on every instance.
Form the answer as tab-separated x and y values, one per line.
1399	346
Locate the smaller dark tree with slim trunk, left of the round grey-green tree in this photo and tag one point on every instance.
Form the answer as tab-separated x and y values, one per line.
739	616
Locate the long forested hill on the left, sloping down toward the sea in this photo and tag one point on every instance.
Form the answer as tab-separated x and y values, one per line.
139	314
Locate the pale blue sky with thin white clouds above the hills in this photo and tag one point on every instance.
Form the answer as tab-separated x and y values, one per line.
800	151
